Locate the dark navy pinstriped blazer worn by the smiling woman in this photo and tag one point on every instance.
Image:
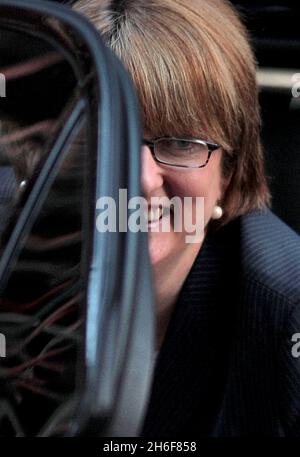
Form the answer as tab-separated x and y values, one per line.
226	366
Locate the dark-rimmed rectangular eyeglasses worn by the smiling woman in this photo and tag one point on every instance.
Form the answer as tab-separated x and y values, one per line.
181	152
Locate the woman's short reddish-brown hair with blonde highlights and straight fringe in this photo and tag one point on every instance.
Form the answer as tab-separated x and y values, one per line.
195	74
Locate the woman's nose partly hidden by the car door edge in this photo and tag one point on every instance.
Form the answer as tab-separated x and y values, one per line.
152	177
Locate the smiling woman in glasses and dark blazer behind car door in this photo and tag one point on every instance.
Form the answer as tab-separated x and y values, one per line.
227	305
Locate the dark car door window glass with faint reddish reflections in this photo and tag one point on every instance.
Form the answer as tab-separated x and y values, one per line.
40	313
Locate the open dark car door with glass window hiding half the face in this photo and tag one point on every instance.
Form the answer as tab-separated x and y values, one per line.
76	307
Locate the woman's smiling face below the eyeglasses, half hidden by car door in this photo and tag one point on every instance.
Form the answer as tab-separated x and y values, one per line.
160	180
